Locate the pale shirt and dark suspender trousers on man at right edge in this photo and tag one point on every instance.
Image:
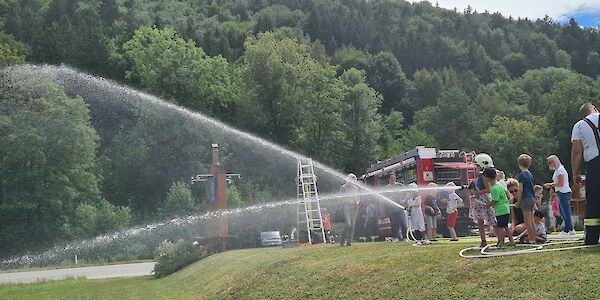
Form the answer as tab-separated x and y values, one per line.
586	131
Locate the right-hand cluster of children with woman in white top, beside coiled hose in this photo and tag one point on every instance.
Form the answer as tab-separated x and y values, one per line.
519	198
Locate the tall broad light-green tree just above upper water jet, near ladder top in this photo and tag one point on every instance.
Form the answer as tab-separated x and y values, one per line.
273	74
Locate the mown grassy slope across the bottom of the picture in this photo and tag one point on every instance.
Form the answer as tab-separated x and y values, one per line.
375	270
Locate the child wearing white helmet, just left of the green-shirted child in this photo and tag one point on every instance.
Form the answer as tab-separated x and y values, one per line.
479	212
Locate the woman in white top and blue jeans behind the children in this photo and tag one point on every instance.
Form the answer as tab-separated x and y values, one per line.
560	183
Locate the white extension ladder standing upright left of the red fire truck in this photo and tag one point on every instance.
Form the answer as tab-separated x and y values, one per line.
309	209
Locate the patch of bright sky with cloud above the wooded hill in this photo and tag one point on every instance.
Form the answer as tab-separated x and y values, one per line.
586	13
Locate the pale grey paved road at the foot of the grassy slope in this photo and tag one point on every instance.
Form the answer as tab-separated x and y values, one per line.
125	270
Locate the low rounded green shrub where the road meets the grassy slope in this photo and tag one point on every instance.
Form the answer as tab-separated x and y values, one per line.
172	257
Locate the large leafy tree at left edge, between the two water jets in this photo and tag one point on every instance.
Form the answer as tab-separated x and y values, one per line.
48	169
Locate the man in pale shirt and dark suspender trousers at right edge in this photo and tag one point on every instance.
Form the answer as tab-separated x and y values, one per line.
586	143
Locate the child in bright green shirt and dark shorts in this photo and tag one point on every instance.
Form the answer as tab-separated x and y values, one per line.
501	206
